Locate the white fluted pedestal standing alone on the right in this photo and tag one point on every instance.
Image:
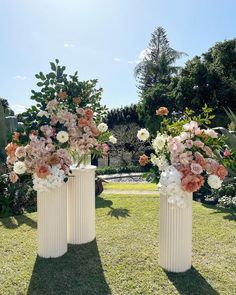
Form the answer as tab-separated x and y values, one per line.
175	235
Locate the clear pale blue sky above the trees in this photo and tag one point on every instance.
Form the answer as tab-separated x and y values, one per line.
101	39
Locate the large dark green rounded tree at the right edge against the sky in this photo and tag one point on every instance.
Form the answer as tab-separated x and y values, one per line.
209	79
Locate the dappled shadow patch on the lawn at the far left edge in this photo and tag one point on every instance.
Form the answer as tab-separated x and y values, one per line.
13	222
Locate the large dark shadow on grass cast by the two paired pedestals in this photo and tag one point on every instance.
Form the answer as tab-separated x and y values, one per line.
79	271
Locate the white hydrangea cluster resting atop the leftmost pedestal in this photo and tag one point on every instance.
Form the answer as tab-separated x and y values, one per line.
54	180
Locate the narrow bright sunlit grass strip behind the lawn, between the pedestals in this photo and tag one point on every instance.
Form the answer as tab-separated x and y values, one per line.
130	186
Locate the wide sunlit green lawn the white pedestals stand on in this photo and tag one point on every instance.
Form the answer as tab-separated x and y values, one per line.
124	257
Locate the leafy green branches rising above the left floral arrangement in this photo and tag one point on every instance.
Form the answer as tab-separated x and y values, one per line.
55	81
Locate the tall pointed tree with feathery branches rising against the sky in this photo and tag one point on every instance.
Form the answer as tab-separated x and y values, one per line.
158	61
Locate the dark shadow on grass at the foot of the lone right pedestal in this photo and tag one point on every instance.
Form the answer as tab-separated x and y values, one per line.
191	282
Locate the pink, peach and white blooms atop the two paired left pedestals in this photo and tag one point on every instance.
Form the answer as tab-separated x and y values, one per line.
62	135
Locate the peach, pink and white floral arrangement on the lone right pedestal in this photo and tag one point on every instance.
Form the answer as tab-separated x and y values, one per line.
183	156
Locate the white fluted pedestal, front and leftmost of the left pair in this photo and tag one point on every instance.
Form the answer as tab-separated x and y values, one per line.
52	222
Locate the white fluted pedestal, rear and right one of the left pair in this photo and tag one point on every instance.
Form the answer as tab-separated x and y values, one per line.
81	206
